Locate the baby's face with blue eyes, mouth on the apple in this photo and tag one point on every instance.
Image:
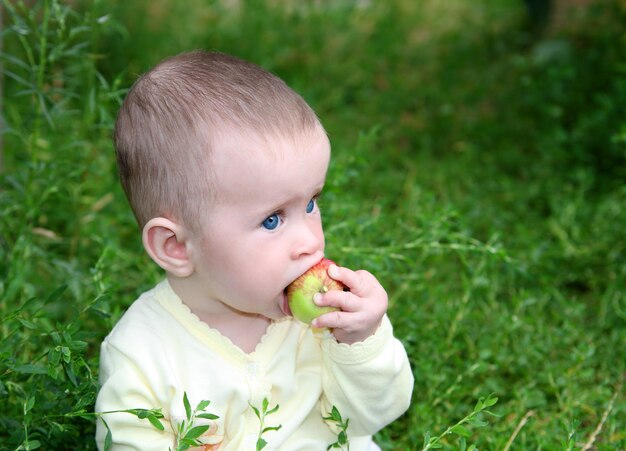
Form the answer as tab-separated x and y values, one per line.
264	229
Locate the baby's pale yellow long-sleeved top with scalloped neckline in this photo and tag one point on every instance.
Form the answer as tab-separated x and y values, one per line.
159	351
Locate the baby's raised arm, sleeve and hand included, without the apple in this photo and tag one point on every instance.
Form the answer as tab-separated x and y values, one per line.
367	374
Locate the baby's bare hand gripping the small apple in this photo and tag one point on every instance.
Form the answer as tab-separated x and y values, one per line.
362	308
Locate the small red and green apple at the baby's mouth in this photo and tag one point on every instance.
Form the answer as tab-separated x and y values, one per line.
301	291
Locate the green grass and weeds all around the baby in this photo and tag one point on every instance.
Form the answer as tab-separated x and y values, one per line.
478	171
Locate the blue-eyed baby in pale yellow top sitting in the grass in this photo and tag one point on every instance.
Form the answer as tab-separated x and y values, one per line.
223	164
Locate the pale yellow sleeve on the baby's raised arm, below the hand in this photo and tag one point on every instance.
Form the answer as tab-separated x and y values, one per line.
369	382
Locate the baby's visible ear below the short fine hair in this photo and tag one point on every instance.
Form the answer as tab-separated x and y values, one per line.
166	243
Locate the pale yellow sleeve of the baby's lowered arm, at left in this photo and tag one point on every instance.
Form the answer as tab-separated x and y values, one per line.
124	386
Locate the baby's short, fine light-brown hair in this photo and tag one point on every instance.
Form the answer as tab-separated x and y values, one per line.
171	120
